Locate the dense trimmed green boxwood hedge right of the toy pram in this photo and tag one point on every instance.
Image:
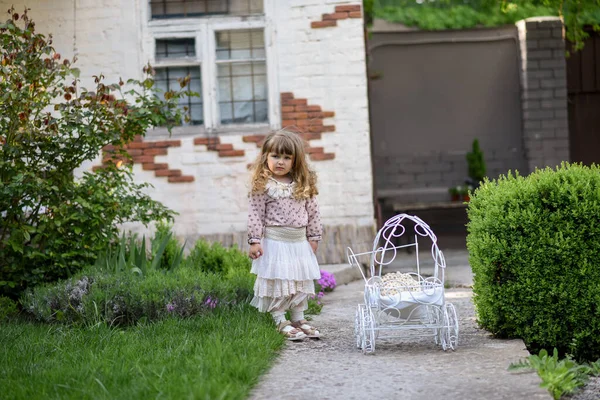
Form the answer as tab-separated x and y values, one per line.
533	246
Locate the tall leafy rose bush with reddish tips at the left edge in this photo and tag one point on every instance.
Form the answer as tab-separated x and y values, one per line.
52	222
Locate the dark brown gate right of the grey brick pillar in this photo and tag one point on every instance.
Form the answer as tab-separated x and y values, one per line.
583	85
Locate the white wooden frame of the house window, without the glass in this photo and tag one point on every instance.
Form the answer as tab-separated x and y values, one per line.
203	30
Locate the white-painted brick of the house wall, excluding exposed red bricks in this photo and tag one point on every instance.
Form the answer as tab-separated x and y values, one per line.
325	66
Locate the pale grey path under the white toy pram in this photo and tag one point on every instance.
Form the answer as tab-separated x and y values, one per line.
410	367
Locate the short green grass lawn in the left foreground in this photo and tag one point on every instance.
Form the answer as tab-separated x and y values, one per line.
215	356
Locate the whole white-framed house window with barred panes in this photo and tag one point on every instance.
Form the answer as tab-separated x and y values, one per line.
226	57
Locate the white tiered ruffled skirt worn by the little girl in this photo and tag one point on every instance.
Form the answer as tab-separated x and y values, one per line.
285	272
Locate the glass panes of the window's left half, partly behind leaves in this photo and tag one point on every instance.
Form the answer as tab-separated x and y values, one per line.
166	78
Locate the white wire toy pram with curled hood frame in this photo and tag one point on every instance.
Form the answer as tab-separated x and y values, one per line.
399	302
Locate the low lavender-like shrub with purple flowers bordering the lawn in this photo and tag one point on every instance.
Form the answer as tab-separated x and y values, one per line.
120	297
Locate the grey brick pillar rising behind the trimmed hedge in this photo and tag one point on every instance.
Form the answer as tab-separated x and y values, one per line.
544	92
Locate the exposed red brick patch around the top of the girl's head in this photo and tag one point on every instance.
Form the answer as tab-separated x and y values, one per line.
305	119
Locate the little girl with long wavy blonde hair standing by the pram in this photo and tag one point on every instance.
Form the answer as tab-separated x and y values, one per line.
284	228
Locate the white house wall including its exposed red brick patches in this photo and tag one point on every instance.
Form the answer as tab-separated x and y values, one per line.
317	60
